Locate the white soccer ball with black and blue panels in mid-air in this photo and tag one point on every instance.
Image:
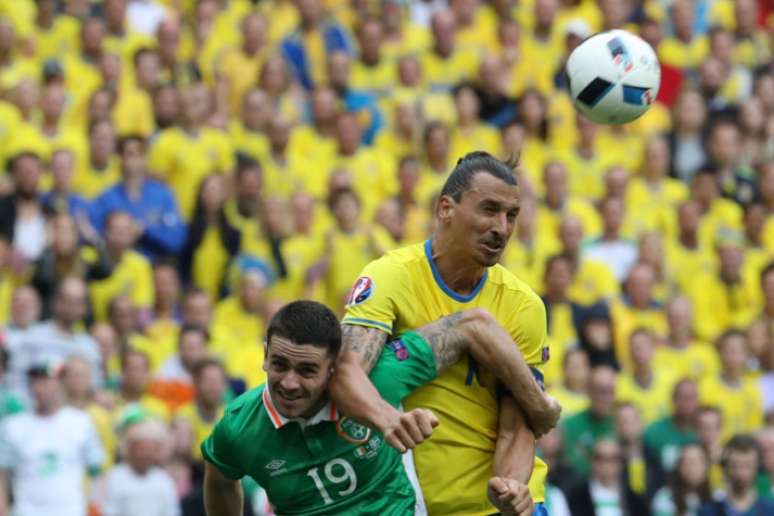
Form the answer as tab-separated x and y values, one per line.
614	77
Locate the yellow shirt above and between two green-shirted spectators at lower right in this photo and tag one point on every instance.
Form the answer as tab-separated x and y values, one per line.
654	400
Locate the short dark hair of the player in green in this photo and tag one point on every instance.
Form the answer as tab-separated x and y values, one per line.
307	322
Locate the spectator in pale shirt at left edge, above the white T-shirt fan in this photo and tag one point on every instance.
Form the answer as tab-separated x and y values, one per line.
56	339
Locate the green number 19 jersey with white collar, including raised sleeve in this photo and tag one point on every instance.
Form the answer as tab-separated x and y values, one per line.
328	464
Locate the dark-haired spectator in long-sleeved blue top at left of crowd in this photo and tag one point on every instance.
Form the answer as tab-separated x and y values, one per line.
150	203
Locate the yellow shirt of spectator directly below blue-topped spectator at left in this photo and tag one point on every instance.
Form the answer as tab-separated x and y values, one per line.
131	276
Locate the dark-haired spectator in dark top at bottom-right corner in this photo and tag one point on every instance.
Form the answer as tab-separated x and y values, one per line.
741	461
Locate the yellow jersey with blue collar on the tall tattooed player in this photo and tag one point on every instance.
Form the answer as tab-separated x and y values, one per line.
408	292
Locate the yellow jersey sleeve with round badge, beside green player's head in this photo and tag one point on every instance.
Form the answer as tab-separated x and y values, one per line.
377	295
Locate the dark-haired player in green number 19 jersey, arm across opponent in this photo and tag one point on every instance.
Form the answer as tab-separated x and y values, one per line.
292	441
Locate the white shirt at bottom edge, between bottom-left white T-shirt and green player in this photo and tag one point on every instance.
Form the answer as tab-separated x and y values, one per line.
131	494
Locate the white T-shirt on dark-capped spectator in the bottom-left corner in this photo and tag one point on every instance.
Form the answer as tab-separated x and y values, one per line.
48	457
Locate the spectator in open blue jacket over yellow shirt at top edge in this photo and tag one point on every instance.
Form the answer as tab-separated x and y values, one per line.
315	38
